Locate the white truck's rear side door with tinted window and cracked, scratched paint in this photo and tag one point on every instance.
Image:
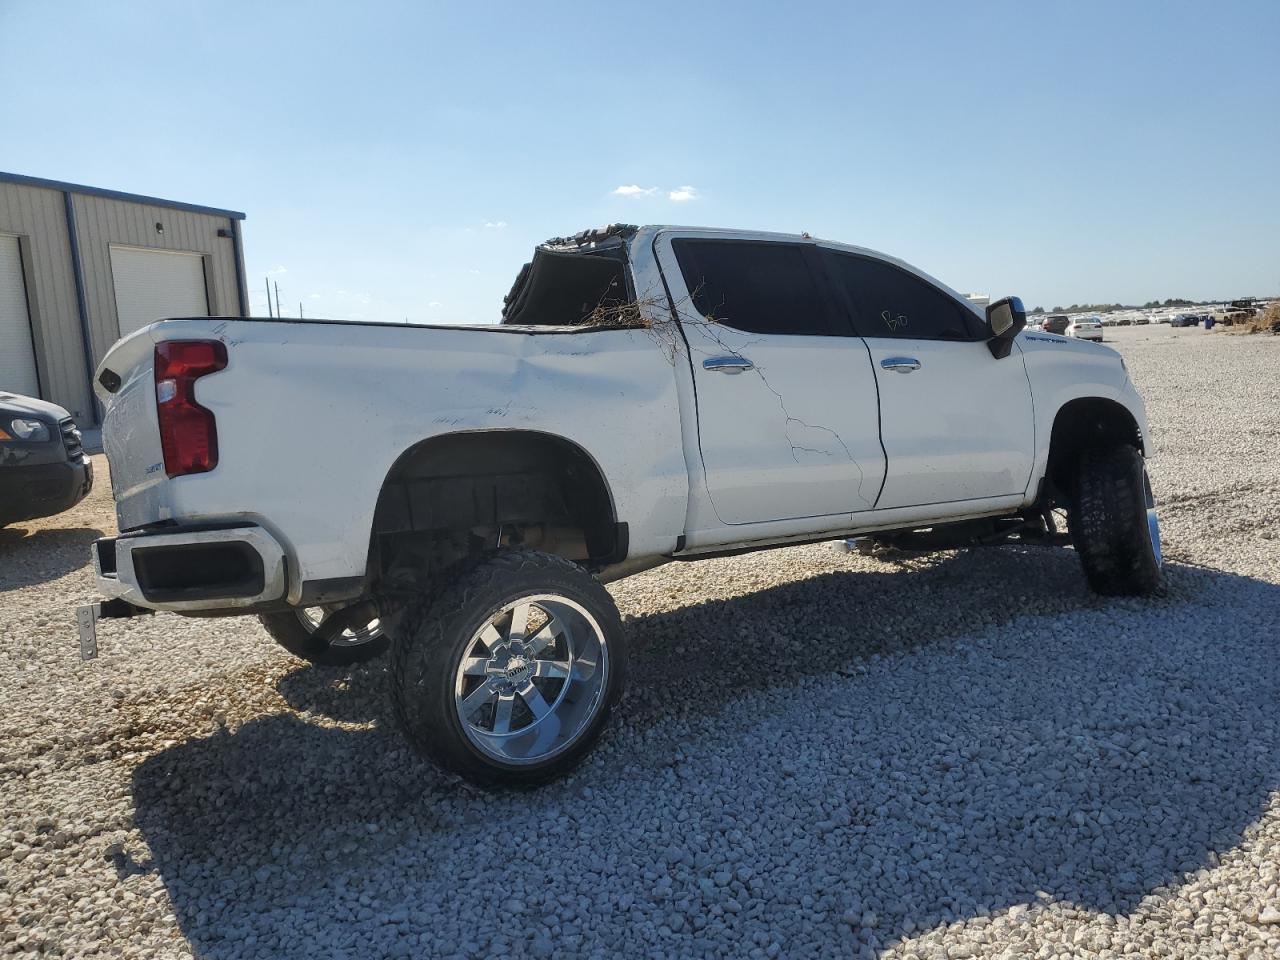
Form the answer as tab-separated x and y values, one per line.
785	392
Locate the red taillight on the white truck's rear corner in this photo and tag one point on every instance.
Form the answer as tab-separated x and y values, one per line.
189	433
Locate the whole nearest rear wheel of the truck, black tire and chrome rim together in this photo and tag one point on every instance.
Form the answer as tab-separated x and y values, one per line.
508	678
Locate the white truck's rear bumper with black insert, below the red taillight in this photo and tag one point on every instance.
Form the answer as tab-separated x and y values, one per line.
232	570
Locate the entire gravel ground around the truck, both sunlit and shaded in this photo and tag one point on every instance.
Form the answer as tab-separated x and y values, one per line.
821	755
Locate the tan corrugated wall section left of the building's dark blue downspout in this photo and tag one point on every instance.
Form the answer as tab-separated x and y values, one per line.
39	216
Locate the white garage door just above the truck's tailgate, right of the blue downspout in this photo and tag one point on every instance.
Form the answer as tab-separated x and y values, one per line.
154	285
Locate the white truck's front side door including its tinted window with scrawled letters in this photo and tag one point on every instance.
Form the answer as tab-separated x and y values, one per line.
957	423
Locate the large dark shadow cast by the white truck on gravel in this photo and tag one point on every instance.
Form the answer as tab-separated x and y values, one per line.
868	756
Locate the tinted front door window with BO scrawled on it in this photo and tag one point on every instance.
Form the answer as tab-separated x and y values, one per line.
892	303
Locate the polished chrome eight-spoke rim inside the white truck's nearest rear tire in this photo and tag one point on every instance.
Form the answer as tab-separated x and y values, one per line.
532	679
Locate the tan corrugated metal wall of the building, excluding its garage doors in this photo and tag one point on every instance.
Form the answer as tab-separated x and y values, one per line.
39	216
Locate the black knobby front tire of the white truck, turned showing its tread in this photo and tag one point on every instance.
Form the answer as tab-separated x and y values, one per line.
1109	524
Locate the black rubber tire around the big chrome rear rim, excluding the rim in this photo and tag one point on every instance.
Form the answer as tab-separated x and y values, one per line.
429	638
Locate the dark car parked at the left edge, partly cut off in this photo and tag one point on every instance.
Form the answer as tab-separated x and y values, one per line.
44	469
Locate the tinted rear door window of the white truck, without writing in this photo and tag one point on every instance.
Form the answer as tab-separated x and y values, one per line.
753	286
